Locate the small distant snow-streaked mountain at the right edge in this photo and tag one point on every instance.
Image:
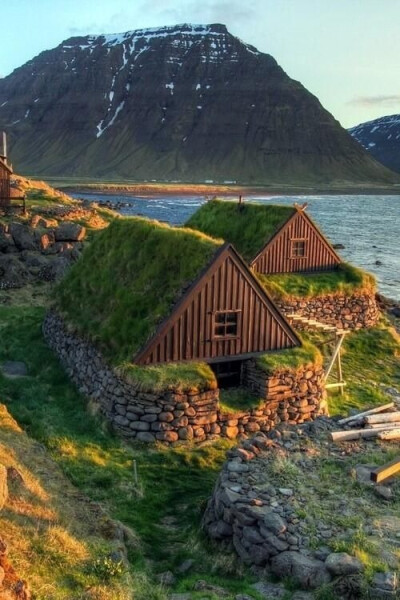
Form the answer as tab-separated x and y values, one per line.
381	138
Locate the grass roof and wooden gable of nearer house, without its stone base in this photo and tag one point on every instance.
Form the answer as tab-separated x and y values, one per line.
149	293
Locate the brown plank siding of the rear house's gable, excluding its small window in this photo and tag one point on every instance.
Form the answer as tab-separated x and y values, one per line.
276	256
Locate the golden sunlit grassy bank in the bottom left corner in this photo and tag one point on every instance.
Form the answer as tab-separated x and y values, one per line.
52	532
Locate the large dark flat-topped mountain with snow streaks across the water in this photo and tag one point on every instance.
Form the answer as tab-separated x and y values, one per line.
184	103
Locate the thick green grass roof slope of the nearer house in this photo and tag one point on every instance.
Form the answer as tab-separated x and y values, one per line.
128	280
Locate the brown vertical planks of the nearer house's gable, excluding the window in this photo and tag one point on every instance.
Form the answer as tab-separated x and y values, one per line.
190	336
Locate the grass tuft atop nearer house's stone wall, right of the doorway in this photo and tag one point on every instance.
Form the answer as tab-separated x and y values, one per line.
293	358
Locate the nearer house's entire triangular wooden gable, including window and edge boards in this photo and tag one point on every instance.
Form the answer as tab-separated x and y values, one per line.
224	315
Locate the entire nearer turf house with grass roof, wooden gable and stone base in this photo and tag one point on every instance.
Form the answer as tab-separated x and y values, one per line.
153	320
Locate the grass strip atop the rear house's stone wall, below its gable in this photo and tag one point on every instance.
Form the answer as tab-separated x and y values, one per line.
347	279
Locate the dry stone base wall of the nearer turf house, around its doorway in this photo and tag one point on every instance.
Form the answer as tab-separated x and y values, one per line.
173	415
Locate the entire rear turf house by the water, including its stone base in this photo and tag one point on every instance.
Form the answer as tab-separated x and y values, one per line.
293	260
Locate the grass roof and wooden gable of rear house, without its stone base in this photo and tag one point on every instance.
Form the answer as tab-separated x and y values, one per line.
272	238
